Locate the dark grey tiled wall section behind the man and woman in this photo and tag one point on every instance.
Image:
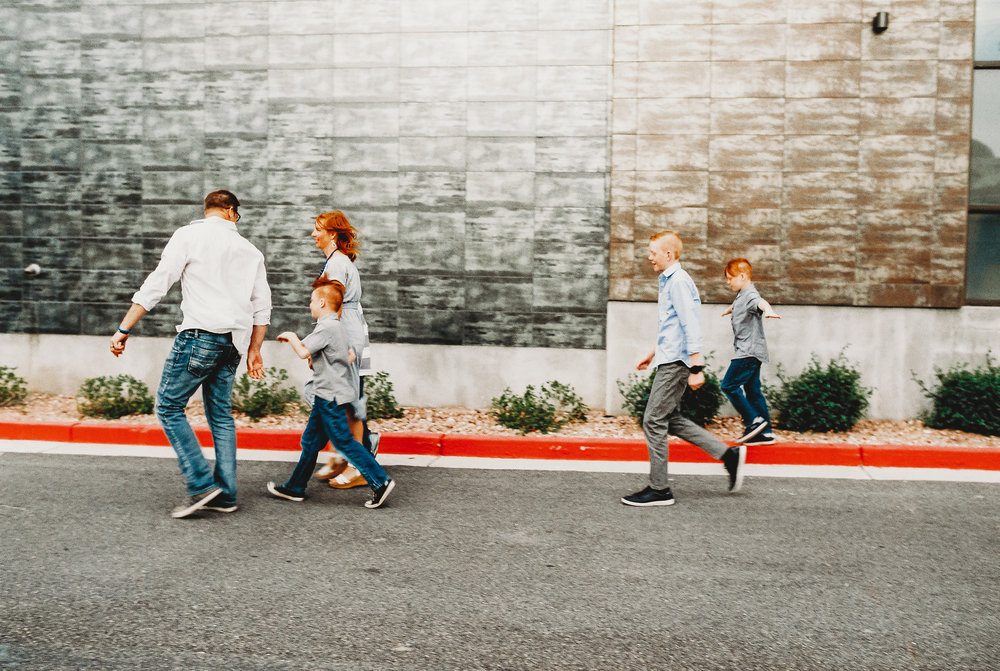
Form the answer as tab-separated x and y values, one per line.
467	140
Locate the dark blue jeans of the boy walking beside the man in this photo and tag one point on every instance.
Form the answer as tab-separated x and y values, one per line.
328	421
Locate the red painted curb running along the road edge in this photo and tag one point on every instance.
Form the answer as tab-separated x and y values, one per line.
532	447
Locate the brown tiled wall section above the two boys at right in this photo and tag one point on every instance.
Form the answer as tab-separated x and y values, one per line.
836	160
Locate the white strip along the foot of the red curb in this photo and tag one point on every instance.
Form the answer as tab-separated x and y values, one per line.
486	463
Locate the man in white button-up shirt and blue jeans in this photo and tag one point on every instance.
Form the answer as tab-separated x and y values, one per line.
226	304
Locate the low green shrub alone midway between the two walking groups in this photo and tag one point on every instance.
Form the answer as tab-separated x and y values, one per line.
554	406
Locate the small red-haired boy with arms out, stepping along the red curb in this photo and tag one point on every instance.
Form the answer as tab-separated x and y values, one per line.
750	348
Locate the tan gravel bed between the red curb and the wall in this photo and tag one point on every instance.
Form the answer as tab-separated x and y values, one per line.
54	408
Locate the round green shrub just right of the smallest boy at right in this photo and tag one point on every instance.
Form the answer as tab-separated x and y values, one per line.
821	398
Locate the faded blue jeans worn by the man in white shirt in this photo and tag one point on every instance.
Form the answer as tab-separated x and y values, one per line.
207	360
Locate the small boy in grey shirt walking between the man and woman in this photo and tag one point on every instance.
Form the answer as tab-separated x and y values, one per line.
336	388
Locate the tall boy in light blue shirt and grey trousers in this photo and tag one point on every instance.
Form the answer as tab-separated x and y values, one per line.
678	363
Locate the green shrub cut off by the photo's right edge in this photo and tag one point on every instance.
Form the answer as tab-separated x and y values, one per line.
964	399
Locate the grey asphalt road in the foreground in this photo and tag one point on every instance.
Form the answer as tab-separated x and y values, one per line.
468	569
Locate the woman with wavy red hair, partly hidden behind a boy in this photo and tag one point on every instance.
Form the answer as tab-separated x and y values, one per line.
338	240
